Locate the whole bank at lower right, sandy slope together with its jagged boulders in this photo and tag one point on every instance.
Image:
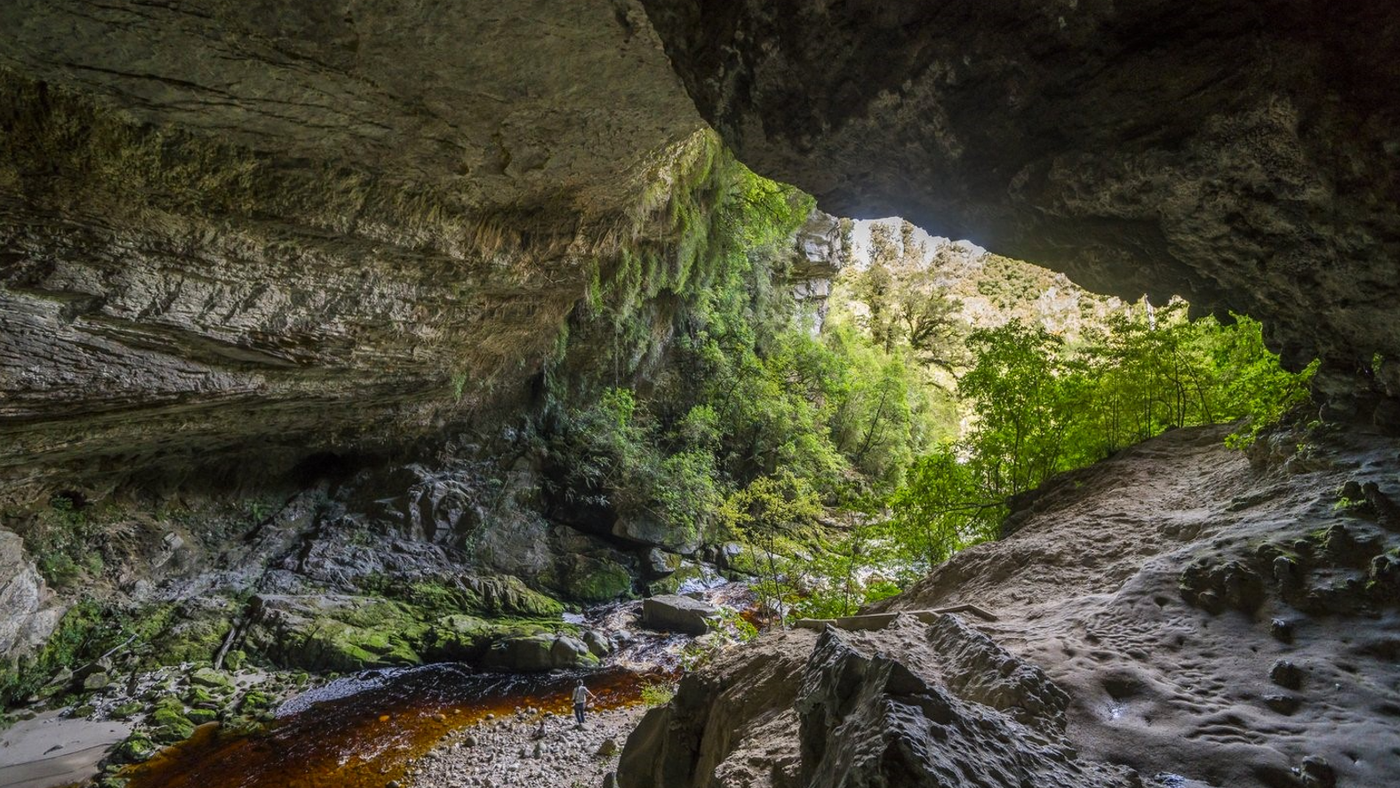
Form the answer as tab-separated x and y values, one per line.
1177	611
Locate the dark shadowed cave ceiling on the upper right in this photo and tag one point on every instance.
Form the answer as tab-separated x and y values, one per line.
1245	156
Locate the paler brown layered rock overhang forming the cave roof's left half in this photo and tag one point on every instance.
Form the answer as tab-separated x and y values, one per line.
243	233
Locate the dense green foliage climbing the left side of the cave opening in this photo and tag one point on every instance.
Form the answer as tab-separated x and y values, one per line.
709	377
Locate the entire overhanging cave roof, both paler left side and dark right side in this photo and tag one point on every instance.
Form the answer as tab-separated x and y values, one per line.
243	233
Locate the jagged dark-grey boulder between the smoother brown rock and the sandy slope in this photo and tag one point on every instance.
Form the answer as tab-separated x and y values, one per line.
869	719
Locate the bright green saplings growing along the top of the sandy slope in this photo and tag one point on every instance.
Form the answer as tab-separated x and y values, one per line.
1042	407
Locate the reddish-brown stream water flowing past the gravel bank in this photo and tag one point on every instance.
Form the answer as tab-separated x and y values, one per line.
365	740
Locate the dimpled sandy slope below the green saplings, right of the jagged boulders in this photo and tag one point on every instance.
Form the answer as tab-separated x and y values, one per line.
1090	590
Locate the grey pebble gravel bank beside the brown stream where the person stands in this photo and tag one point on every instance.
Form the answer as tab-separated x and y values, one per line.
512	752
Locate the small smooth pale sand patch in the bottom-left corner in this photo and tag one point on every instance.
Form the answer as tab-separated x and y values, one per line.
50	751
